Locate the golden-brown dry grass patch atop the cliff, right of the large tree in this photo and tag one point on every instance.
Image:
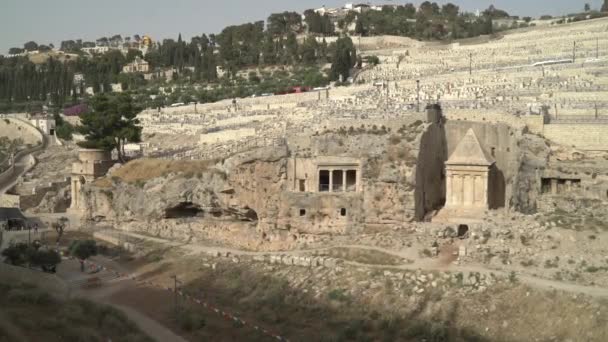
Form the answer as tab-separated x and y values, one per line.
146	169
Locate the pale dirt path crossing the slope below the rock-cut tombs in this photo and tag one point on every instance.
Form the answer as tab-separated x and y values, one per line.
536	282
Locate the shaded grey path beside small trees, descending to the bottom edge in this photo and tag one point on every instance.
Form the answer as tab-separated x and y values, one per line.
69	270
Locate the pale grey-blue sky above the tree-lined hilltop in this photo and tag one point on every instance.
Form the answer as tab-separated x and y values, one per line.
51	21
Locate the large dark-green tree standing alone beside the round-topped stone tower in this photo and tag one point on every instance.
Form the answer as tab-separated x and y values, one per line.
110	123
